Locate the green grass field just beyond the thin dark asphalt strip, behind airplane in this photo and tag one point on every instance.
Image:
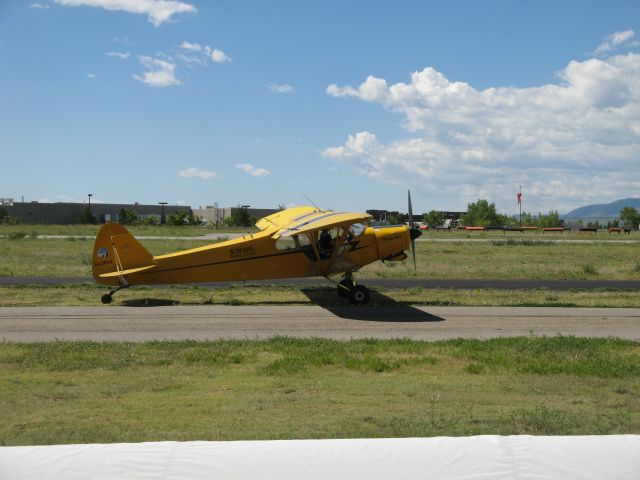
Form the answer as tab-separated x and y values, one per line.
498	259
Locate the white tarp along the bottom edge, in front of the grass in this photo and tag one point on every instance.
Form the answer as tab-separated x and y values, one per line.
483	457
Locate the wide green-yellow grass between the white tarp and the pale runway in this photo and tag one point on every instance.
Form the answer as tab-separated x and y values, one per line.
283	388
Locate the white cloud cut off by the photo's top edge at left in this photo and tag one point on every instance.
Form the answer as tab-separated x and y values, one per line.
158	11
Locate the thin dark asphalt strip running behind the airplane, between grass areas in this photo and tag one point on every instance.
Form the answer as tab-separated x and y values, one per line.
374	282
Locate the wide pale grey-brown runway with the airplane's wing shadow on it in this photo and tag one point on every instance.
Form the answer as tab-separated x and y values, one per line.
108	323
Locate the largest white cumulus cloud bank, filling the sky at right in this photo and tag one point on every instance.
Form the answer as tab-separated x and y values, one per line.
569	142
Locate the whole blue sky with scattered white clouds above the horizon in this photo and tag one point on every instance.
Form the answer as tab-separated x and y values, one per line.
241	102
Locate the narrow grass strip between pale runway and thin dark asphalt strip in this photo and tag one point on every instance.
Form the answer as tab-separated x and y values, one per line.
89	295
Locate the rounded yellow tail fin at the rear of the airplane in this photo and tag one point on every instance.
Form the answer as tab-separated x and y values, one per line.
116	252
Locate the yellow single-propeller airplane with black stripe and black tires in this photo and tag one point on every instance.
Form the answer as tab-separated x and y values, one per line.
296	242
